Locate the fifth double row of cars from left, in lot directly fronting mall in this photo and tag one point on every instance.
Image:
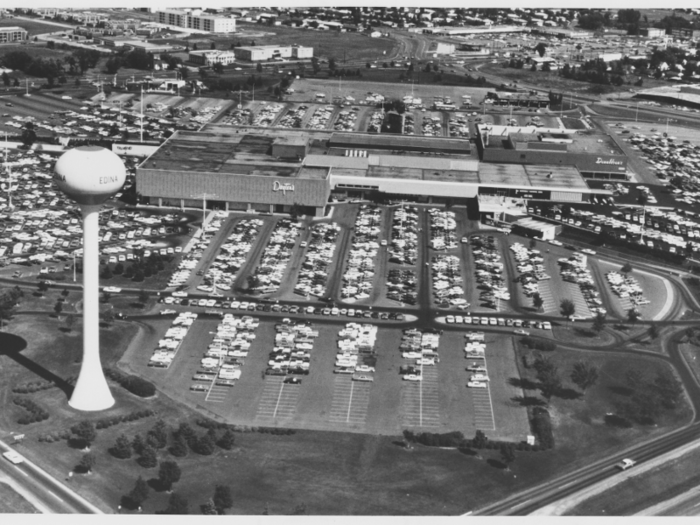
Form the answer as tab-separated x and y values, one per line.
358	279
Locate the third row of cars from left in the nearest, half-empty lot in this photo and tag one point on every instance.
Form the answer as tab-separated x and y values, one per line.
291	354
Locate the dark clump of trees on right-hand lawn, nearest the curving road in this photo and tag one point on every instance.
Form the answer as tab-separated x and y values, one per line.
644	396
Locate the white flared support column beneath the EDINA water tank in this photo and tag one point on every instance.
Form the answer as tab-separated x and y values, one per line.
91	391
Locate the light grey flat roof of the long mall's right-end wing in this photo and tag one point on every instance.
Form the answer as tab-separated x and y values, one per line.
547	177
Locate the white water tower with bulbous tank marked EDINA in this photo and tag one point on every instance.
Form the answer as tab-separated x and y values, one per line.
90	175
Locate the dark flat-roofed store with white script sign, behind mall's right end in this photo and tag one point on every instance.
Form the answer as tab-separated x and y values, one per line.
595	155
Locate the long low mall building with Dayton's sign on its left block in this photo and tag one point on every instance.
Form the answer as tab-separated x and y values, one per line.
270	170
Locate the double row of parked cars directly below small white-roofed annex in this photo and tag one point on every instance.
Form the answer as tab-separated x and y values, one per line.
488	270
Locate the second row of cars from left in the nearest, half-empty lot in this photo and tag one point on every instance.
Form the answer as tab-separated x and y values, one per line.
225	356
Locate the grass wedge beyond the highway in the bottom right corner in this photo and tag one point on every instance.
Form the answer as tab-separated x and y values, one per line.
645	490
